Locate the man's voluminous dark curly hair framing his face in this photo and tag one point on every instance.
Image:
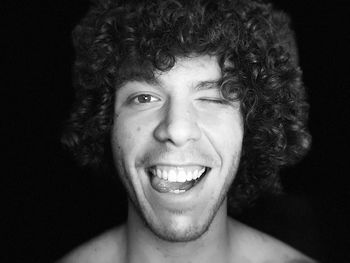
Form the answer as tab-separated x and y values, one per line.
119	40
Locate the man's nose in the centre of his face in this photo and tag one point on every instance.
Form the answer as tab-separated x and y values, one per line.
178	125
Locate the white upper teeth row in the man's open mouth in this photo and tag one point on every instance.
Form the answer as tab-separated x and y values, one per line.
178	174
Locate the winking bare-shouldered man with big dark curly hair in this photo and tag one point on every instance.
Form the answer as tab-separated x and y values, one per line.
197	101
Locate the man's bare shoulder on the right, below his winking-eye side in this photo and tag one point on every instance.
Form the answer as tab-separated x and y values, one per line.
257	247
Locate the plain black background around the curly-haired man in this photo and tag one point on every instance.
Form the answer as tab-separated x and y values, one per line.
50	206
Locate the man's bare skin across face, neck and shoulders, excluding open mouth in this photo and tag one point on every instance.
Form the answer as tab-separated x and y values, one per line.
178	121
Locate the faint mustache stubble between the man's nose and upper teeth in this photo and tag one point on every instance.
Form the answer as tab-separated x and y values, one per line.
165	155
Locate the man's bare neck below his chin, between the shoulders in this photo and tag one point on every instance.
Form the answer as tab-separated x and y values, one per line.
144	246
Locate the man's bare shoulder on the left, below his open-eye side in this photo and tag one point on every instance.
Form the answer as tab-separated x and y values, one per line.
107	247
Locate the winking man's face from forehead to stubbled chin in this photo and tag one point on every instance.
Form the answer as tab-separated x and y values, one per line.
176	145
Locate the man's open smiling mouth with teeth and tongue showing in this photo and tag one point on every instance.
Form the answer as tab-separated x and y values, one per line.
179	179
